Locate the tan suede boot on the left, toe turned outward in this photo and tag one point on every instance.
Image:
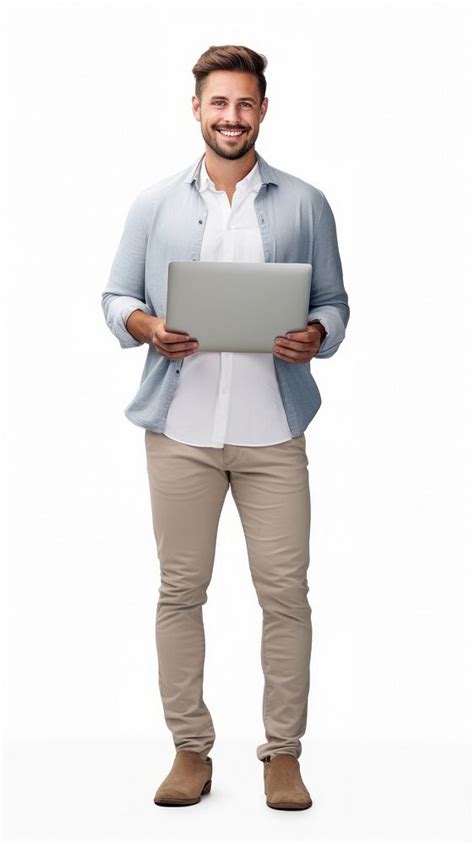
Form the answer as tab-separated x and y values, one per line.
189	778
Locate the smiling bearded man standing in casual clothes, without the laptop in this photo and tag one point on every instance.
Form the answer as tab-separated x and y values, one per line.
214	420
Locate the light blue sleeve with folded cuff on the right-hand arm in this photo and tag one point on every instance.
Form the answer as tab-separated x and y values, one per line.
328	298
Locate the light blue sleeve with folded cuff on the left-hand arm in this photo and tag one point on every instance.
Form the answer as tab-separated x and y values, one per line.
125	291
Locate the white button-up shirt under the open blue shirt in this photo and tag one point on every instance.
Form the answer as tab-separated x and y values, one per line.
229	397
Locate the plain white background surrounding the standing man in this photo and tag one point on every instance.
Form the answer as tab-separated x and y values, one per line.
371	103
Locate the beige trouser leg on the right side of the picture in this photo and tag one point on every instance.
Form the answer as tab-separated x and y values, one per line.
271	490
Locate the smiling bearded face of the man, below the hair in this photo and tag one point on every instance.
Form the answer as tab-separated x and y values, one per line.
230	100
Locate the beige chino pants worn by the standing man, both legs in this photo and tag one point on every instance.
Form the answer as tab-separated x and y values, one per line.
270	486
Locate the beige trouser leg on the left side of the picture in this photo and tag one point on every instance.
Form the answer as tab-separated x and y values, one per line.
188	489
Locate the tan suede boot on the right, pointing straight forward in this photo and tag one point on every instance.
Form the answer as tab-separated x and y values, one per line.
284	787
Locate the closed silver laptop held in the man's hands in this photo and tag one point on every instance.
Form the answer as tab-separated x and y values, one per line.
237	306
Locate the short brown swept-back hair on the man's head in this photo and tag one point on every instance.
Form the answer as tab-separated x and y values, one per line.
230	57
